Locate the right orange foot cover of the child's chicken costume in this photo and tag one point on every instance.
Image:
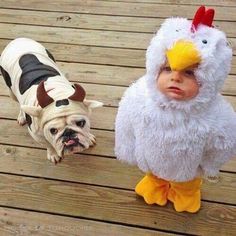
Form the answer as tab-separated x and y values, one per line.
186	196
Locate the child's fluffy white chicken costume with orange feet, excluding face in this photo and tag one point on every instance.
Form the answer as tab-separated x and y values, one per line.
177	142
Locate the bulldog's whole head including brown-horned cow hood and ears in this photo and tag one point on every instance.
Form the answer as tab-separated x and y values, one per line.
63	123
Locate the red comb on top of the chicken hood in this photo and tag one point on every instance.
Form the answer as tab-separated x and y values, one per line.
202	16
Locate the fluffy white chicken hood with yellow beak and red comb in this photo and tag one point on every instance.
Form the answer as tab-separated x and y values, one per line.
185	43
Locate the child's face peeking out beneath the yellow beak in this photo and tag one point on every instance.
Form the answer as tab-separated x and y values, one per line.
179	85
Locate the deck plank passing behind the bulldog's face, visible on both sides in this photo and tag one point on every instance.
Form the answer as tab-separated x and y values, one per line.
19	136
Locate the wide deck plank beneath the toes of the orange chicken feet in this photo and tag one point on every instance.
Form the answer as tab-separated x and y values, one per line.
112	205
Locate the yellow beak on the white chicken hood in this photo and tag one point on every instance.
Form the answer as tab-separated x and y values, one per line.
183	55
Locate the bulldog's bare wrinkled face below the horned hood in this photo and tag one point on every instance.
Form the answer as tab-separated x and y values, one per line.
68	134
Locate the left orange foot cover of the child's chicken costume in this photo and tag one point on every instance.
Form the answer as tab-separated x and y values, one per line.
153	190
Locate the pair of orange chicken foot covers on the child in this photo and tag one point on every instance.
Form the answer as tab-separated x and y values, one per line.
185	196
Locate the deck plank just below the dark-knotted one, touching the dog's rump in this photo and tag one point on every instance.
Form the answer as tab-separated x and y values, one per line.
129	40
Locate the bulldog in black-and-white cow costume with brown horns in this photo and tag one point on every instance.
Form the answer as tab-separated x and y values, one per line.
56	111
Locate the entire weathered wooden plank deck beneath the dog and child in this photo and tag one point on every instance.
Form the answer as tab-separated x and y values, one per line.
100	44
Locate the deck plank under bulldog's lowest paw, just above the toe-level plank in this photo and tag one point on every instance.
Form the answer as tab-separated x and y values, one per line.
100	171
